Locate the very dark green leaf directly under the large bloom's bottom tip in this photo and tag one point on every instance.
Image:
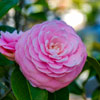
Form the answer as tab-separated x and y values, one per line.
62	94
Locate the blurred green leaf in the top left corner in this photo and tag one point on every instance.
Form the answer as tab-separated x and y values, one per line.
5	5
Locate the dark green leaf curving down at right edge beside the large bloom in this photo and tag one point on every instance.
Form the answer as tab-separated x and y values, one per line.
95	64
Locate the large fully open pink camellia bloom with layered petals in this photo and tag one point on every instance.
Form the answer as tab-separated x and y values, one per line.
50	55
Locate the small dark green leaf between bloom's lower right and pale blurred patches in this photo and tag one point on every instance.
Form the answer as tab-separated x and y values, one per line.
74	88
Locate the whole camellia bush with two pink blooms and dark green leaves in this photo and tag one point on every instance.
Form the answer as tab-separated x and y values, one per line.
43	62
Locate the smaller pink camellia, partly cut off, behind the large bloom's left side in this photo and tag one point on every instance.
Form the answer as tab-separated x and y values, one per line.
7	43
